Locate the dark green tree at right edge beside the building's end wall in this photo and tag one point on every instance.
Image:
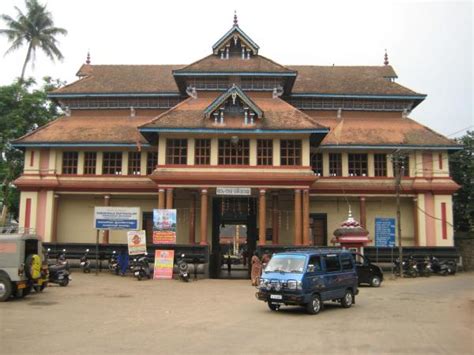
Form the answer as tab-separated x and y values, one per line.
462	171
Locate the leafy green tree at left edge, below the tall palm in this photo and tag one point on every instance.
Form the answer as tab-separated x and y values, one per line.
23	108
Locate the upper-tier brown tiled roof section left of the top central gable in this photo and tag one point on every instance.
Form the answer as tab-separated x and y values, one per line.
123	79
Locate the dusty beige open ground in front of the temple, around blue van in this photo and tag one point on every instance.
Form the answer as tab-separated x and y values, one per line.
112	314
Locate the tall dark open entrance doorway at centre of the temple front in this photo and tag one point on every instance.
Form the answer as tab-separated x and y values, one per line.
234	236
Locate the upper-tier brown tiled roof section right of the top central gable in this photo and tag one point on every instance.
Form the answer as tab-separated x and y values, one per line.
356	80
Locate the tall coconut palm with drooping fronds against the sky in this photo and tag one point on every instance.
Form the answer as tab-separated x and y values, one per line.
36	29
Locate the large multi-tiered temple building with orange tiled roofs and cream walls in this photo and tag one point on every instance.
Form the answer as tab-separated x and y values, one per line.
238	139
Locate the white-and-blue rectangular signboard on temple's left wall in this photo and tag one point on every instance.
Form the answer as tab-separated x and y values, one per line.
117	218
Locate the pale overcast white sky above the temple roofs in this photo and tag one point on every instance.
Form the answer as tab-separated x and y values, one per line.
430	44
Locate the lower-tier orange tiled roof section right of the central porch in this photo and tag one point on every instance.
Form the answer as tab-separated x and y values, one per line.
380	131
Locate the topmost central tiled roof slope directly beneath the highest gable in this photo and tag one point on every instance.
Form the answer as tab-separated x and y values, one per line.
213	63
